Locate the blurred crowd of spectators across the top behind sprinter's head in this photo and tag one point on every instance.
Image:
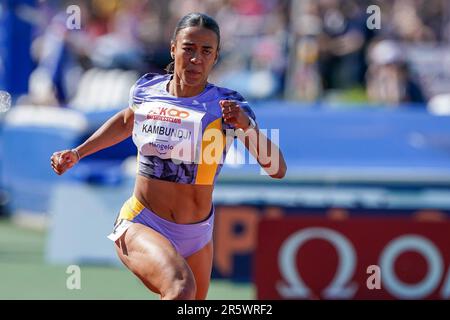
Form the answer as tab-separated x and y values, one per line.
296	49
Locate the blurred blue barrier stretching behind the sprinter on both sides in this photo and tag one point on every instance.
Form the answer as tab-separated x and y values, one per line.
321	146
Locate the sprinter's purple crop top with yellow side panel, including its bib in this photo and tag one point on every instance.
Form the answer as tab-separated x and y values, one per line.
180	139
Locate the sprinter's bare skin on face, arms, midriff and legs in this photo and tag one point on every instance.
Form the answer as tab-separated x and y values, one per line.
148	254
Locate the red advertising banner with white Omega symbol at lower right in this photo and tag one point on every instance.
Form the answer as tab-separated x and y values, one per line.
357	258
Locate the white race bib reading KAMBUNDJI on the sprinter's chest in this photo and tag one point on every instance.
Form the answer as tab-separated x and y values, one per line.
168	131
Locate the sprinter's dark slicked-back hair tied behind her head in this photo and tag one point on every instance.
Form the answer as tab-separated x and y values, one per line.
194	20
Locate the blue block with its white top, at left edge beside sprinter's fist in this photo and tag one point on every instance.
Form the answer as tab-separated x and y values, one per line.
29	137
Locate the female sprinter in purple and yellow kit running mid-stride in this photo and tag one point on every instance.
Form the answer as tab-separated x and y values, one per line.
163	233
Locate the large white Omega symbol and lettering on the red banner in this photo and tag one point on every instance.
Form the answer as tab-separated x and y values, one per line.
341	286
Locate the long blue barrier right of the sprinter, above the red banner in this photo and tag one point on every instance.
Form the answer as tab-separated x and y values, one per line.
371	144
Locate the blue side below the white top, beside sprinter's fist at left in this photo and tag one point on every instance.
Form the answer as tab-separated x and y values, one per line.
27	174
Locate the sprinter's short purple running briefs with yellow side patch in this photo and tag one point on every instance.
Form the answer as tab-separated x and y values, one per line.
186	238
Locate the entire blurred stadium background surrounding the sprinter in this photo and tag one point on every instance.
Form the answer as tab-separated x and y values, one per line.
360	93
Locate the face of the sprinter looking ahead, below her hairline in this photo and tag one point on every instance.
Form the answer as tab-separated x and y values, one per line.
195	52
